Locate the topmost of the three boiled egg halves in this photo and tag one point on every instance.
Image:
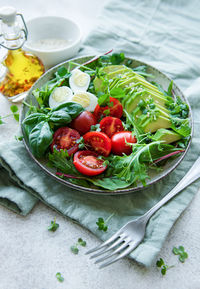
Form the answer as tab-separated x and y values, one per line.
79	80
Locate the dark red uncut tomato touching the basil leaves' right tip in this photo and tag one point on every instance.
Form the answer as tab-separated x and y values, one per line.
83	122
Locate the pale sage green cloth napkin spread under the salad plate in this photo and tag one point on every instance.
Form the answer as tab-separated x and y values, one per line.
162	33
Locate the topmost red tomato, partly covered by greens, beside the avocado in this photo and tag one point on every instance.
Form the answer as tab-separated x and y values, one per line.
114	109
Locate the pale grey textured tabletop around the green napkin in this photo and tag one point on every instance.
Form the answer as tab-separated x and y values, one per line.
30	255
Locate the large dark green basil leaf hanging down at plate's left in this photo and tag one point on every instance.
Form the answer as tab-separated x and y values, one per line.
40	138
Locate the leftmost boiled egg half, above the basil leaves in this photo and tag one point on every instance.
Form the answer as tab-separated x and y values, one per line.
59	96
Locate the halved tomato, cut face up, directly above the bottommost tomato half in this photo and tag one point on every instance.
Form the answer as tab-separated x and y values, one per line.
98	142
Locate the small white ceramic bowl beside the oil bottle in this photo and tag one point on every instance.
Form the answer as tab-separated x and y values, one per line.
53	39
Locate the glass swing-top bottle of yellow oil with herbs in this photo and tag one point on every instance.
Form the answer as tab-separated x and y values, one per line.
18	69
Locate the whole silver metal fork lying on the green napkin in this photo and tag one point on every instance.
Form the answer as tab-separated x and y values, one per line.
131	235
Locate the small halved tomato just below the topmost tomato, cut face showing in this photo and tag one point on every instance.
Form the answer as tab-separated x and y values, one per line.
110	125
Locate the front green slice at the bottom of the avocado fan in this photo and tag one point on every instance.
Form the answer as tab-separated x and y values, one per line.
150	125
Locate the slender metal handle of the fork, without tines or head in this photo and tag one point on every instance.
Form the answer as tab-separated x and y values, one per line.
192	175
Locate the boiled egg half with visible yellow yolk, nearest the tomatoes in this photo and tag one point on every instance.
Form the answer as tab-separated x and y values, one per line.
86	99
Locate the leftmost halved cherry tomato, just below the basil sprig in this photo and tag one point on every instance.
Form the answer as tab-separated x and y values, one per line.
65	138
